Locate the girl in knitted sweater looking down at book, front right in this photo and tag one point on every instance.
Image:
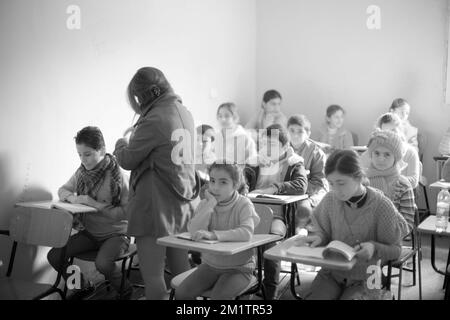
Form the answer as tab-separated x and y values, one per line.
359	216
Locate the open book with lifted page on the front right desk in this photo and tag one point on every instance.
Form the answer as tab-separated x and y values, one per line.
335	250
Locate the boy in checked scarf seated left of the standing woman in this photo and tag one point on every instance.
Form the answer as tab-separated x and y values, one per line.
100	183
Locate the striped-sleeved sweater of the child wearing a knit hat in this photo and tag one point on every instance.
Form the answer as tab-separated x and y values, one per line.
403	201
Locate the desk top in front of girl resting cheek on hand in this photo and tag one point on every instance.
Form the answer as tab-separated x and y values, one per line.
221	248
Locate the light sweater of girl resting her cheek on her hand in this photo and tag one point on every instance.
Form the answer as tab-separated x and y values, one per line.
234	220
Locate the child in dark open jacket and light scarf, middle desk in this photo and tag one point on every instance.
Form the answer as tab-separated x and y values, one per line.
280	171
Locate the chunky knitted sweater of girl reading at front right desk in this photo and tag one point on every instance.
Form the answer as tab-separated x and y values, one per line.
377	221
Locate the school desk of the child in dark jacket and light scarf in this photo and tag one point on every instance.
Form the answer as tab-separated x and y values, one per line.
287	203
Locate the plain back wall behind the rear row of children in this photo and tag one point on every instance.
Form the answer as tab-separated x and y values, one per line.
317	53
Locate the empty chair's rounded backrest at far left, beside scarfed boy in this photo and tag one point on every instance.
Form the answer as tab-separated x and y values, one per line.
44	227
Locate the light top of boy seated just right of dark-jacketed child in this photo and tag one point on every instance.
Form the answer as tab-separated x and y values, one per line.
314	161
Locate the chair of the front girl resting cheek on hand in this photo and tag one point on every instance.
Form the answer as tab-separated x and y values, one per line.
266	215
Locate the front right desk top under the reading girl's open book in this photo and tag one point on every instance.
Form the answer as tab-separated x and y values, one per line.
279	252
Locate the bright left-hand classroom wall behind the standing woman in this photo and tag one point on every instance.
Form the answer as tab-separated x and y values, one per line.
54	81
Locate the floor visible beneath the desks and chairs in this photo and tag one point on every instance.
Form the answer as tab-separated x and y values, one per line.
431	281
